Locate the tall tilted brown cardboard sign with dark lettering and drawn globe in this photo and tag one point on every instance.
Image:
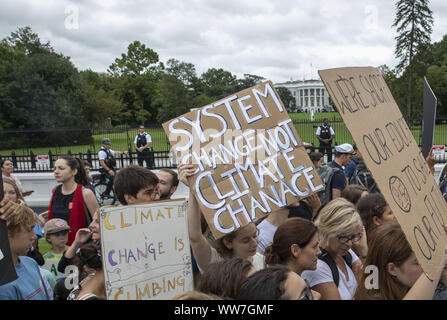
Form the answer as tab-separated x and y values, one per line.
391	154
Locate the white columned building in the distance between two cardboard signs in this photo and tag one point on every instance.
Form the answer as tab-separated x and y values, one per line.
310	95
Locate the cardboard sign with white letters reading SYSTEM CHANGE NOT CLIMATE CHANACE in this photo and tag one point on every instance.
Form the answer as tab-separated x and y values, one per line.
250	160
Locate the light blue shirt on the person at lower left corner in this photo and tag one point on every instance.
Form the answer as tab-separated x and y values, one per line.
30	284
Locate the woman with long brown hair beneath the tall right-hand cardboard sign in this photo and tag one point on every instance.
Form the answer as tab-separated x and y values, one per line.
399	274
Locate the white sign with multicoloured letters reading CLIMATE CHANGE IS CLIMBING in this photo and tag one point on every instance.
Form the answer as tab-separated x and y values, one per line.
146	252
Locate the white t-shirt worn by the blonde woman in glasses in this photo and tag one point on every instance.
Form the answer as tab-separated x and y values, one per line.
323	274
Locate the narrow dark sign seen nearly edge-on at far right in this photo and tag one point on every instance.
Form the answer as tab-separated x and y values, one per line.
428	118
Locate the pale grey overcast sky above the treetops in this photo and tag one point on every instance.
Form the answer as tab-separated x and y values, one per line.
278	39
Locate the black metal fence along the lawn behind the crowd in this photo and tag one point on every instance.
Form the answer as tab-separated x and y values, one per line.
24	157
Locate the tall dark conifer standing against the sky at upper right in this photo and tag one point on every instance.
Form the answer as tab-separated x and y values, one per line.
414	21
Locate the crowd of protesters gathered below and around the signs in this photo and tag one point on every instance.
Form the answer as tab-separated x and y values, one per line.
314	249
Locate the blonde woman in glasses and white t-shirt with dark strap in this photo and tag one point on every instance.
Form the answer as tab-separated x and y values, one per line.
338	267
